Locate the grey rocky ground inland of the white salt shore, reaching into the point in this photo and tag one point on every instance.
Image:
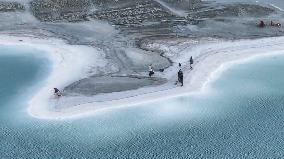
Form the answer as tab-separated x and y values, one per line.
122	28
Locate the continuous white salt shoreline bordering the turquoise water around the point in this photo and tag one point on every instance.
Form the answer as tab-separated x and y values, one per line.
214	58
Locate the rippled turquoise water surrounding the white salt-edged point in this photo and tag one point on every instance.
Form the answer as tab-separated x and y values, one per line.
240	117
